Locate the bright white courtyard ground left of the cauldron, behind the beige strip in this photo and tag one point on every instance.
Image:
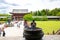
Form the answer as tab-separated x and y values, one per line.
14	31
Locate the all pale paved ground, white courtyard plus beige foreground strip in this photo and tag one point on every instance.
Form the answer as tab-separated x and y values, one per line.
15	33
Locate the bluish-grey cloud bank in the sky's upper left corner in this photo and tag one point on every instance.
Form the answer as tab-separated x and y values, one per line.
5	7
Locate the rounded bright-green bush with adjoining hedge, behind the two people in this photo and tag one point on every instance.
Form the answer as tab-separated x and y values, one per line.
30	18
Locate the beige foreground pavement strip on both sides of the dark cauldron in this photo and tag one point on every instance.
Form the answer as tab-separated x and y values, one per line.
46	37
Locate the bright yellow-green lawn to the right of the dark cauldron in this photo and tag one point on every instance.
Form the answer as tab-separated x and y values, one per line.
48	26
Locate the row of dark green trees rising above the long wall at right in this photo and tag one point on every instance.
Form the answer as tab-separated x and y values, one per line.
47	12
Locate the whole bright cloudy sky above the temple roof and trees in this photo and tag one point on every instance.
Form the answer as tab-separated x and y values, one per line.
32	5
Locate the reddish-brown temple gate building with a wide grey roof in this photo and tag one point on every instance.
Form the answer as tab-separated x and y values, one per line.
17	14
